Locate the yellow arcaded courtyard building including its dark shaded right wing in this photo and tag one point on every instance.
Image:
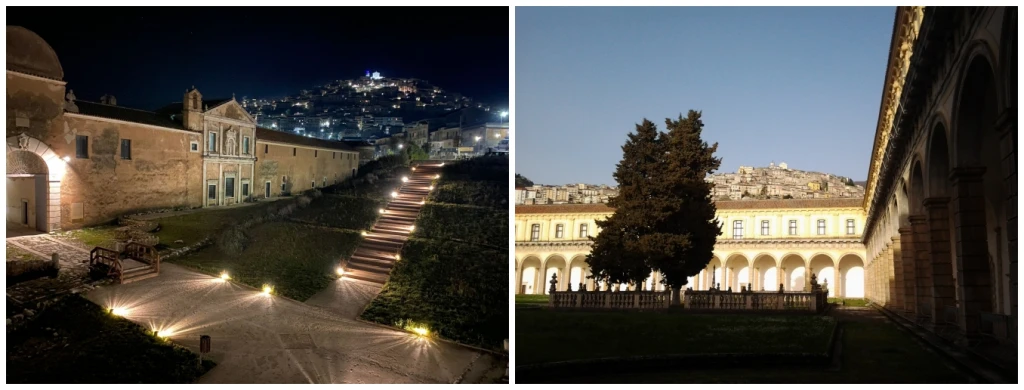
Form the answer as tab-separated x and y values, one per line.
934	238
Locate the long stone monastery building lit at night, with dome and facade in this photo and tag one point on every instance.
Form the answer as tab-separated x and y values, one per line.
73	163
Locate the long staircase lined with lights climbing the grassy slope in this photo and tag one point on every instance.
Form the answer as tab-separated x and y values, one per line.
379	250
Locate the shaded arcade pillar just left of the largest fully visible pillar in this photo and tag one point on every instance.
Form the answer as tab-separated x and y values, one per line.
944	290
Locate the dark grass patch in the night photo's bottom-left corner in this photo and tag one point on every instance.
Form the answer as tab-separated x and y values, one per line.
78	342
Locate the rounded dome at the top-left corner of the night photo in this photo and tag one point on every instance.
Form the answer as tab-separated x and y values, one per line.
29	54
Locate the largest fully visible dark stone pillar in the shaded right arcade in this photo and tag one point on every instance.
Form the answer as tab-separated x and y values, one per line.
974	276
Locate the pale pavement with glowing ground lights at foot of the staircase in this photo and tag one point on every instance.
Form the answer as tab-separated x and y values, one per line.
270	339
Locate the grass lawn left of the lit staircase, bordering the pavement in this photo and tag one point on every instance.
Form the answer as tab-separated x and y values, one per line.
298	261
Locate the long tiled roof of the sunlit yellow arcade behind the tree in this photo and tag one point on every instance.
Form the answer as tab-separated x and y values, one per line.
722	205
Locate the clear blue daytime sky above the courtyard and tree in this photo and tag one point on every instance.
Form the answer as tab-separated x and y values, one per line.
788	84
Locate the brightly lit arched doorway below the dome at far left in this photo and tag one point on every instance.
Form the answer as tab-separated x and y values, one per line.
34	172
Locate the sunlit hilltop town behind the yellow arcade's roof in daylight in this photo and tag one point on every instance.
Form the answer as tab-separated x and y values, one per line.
774	182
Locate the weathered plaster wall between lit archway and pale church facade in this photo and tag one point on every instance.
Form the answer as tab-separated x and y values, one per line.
162	174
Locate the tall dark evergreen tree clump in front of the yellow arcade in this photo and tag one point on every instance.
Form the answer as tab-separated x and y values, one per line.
665	218
